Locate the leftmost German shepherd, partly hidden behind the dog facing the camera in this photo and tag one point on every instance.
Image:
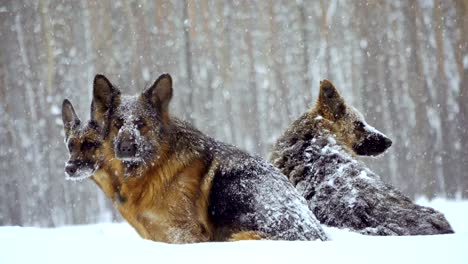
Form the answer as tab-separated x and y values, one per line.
91	157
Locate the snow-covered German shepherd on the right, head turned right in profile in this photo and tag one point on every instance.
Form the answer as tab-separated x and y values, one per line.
316	153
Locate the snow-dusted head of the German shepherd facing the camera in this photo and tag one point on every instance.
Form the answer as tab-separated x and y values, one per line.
138	125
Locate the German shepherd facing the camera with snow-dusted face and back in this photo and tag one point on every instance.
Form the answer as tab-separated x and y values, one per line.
183	186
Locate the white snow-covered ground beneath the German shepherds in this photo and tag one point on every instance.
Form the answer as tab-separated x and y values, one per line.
118	243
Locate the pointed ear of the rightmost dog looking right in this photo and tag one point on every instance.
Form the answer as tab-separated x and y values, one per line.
330	103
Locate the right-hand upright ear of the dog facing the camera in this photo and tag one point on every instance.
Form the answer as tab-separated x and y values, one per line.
159	94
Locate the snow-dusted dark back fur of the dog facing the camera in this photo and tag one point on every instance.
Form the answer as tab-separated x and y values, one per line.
252	193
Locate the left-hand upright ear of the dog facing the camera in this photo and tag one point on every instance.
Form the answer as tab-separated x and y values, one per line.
104	94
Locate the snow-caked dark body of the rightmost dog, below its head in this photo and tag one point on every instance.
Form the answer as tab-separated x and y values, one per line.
343	192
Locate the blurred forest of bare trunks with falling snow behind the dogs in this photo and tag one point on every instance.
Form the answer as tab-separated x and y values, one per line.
243	71
